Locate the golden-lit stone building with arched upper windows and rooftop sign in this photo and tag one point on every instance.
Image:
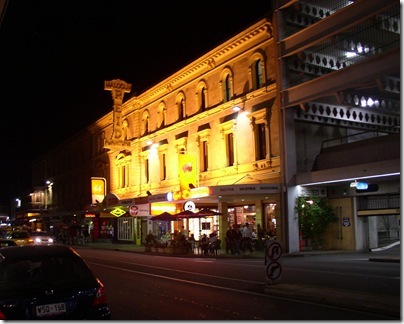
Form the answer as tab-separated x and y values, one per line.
208	135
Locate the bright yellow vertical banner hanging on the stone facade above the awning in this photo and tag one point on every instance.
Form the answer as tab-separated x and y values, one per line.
188	173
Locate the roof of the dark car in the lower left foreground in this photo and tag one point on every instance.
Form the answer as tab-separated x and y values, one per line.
18	252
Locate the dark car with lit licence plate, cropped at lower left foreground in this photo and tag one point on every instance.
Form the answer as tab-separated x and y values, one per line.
39	282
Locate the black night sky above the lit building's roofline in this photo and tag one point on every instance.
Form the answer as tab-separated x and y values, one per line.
56	54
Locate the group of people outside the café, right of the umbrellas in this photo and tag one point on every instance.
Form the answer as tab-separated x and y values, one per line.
238	240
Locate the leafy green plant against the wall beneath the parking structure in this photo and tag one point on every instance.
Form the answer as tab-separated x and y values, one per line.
315	214
